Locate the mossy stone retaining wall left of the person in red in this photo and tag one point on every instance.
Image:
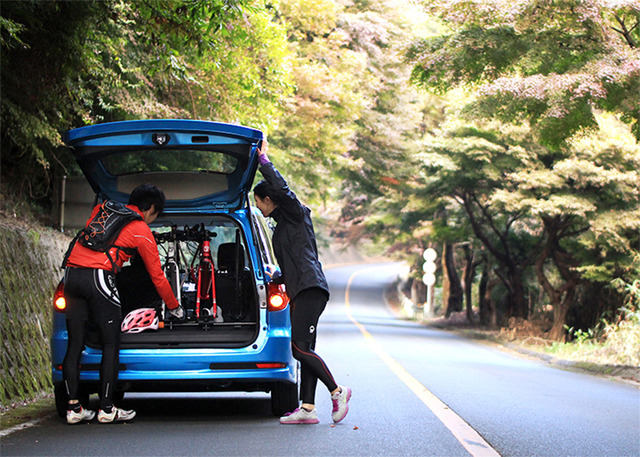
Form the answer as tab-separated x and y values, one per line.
29	274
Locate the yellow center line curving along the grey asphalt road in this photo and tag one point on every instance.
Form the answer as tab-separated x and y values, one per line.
462	431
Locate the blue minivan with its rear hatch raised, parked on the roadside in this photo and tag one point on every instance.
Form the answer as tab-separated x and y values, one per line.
235	335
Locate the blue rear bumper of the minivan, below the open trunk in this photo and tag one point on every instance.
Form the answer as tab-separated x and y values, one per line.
256	366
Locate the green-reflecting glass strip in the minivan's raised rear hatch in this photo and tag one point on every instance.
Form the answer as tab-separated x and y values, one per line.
170	160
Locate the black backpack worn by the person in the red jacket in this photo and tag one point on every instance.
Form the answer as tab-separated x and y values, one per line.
103	230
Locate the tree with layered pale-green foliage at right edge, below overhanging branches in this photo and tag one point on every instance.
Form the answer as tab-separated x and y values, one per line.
596	184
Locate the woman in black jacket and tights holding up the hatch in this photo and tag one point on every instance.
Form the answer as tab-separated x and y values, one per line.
294	242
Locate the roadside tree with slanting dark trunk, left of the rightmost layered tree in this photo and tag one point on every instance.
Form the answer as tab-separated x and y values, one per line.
468	165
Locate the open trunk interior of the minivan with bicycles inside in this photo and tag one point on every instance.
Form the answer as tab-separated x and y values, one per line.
183	244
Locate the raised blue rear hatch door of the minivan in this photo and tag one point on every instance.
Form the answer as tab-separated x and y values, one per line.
200	165
